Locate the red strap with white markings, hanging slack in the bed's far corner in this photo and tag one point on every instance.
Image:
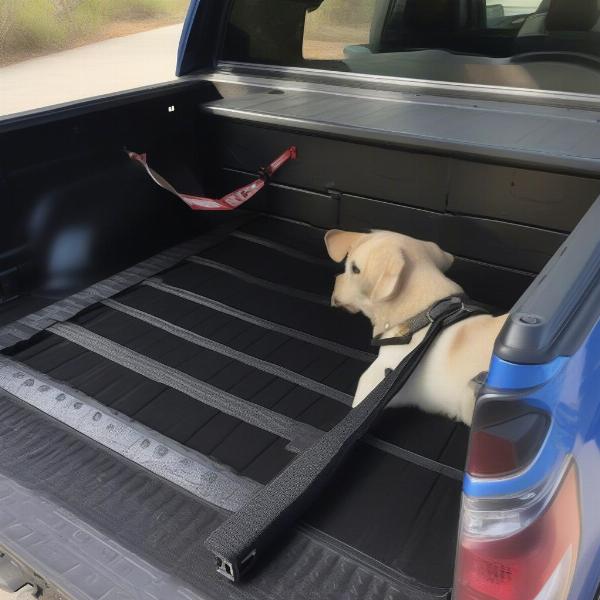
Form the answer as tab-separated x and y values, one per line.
231	200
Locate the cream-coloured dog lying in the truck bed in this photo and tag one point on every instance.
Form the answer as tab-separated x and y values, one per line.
391	277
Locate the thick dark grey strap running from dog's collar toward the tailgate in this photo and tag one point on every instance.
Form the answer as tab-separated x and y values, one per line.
241	540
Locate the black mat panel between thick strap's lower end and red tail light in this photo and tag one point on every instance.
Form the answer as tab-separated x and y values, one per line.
400	514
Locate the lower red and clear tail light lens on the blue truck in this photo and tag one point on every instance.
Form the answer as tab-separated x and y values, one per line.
523	547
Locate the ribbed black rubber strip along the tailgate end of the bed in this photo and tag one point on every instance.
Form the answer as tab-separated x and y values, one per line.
167	526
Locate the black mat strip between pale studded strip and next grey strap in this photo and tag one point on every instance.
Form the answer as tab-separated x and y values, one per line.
161	408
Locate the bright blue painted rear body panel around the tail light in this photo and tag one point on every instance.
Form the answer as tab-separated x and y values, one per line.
569	389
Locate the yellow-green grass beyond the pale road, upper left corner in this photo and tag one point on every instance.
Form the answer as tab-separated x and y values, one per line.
34	26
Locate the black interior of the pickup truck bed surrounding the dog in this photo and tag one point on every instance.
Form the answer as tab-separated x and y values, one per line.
154	402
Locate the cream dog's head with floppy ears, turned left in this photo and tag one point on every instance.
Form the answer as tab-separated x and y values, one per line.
378	266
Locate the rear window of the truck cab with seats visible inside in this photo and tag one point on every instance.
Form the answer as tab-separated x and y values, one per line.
549	45
